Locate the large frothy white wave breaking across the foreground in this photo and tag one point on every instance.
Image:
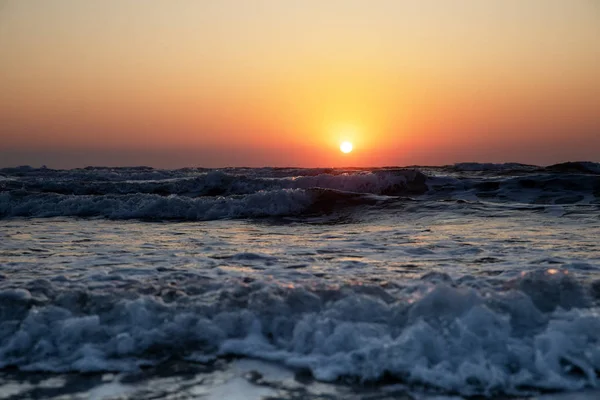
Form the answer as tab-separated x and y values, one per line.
538	332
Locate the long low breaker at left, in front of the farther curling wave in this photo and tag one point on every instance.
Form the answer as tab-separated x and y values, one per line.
276	203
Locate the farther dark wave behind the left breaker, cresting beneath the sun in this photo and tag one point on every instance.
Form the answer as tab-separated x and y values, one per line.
219	183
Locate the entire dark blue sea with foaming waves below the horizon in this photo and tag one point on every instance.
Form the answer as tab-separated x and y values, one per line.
238	283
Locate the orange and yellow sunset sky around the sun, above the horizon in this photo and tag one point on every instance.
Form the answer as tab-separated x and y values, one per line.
282	83
